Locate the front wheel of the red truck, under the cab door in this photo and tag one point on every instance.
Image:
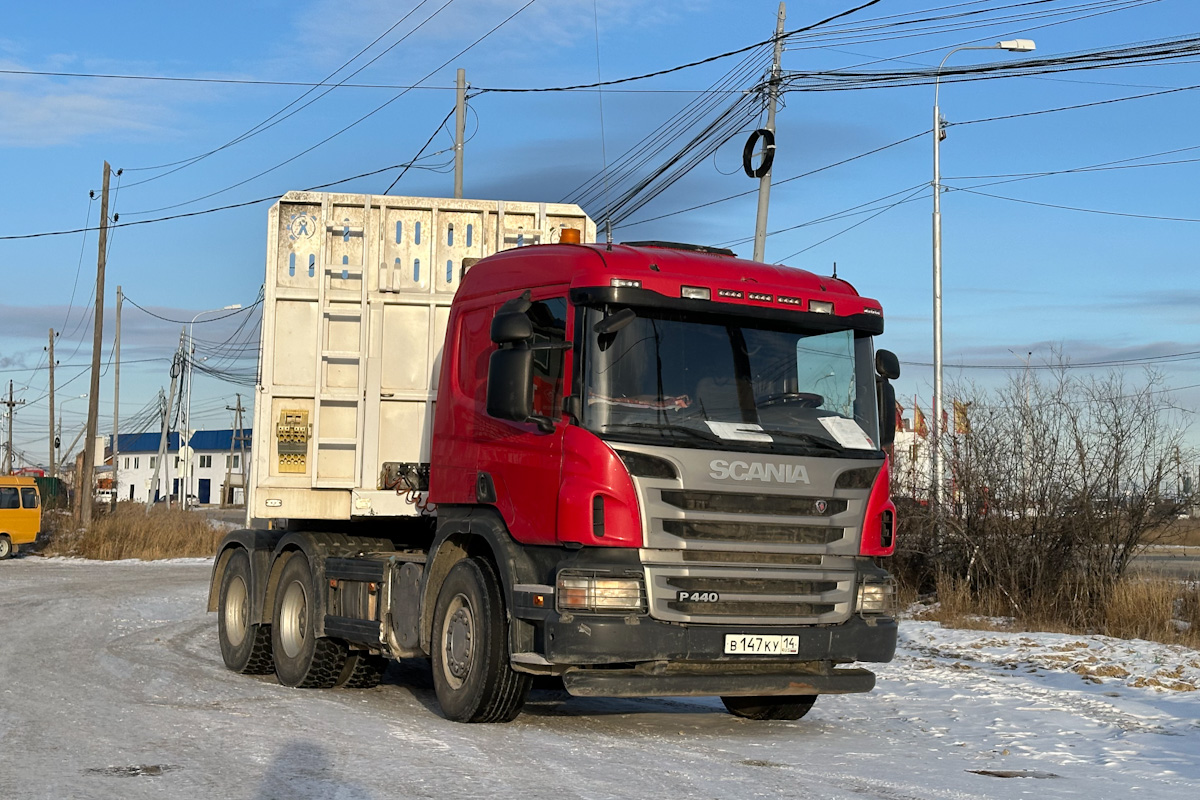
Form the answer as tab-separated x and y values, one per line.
472	676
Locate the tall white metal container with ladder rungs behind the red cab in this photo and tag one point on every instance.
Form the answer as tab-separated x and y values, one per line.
358	294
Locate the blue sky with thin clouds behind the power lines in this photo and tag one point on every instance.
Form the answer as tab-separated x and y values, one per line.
1018	279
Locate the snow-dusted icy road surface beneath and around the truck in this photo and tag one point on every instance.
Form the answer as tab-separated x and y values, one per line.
112	687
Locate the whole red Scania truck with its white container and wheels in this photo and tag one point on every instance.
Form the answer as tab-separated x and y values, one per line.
649	470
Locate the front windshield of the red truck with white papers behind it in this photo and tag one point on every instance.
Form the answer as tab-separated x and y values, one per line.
731	384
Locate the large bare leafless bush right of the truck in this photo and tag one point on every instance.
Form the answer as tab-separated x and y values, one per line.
1052	489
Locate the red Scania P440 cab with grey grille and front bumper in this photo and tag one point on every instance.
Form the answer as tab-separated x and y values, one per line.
688	449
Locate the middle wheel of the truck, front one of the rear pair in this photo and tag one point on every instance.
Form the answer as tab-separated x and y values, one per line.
302	659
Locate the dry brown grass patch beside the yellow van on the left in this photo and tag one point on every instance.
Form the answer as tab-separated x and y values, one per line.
134	533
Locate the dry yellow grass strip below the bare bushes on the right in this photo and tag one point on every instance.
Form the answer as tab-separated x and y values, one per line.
1137	609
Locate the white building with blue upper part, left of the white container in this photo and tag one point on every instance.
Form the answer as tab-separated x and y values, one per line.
217	472
